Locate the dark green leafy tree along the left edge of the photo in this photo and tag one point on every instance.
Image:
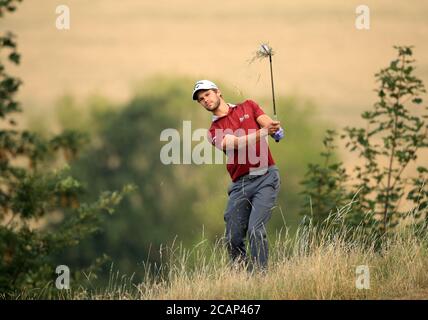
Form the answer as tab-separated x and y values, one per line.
31	192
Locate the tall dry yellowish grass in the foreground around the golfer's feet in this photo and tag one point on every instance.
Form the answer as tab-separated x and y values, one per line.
314	263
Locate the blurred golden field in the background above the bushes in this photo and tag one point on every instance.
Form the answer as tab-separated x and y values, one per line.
113	46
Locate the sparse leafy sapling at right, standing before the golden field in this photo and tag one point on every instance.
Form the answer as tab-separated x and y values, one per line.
394	136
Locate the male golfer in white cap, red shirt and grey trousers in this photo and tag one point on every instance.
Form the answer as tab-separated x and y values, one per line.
241	132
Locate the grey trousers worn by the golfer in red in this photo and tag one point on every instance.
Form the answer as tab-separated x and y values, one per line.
251	199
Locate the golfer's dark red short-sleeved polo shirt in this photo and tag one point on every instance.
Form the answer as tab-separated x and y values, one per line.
241	120
